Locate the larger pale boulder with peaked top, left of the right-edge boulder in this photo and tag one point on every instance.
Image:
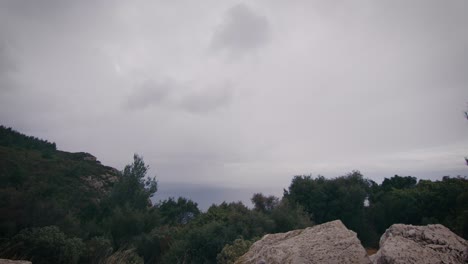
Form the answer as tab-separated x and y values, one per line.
331	242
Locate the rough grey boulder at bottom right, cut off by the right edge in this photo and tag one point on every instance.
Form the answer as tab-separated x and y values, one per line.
420	244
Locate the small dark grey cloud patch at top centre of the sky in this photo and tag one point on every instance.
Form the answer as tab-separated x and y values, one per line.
242	31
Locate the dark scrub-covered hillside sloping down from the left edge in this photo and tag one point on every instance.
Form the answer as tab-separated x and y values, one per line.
40	185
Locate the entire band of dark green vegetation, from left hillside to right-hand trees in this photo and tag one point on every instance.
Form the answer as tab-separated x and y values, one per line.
68	208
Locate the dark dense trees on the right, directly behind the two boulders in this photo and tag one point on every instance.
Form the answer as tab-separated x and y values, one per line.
369	208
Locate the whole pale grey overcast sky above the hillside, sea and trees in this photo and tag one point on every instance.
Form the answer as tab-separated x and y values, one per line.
243	93
